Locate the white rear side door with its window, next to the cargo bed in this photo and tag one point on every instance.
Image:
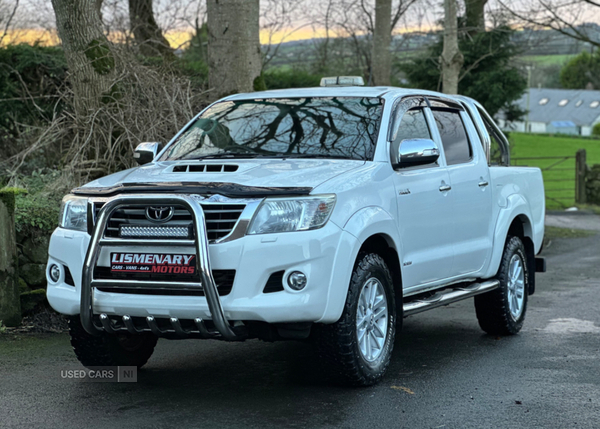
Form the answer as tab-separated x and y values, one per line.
471	208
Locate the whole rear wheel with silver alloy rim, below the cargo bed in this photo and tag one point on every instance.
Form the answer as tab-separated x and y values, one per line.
502	311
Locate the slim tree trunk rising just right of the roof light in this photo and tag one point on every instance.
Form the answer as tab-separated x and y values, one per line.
382	38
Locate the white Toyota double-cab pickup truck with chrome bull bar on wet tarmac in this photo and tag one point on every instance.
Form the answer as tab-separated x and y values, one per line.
325	213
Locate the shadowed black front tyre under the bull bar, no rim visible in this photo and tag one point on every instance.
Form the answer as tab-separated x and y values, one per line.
110	350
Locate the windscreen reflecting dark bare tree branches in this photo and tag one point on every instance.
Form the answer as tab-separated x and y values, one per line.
311	127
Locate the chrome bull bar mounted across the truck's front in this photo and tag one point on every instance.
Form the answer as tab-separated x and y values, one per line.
202	262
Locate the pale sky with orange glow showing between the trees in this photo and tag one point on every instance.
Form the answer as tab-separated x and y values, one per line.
34	19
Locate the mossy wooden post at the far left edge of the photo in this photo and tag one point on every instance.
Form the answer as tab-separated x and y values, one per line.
10	304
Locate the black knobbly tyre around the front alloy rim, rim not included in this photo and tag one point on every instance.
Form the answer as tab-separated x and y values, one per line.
338	342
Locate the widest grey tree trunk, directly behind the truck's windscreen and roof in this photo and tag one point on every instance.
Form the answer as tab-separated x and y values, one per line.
234	62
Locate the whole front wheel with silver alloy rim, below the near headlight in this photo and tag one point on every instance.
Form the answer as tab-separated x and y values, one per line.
357	348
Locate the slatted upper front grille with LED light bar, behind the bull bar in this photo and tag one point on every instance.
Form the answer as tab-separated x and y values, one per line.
131	222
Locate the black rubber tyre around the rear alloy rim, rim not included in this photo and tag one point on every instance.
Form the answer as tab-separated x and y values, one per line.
492	308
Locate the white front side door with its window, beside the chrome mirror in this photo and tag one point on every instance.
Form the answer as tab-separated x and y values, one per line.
423	208
